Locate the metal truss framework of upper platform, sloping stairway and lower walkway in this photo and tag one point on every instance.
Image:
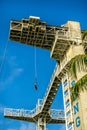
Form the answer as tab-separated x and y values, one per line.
58	40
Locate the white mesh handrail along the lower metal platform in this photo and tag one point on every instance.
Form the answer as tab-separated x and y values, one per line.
10	112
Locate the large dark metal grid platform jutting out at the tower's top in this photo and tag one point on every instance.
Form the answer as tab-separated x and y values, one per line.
37	33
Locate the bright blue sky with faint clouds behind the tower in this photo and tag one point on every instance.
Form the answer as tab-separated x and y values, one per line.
17	74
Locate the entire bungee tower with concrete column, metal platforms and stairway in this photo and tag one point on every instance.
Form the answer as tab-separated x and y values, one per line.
65	44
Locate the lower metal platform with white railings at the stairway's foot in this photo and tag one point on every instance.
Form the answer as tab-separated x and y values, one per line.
54	116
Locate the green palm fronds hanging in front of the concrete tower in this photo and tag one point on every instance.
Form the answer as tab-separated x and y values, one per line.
81	84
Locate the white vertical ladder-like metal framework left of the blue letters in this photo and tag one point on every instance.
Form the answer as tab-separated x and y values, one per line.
67	102
